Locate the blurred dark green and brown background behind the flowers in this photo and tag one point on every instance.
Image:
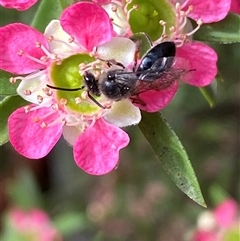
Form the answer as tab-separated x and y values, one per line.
138	201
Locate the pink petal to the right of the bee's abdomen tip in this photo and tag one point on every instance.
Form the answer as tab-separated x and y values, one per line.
202	59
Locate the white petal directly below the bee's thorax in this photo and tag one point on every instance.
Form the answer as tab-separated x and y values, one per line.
123	113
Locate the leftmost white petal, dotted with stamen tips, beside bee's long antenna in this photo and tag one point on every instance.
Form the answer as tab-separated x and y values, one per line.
35	86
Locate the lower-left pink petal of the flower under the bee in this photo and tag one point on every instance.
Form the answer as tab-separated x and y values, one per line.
28	137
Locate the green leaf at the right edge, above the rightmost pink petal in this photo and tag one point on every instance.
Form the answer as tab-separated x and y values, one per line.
226	31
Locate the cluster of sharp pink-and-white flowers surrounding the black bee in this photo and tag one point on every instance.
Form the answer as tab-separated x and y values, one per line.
90	37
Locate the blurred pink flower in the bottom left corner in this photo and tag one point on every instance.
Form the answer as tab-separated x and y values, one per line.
33	225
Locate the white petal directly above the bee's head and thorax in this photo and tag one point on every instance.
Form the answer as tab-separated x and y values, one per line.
119	49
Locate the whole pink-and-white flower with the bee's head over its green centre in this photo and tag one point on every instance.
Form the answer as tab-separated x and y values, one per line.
35	129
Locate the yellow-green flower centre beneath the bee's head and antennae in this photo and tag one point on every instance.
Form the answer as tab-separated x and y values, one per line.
71	89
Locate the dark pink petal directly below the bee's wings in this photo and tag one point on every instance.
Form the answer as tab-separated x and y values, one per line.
157	100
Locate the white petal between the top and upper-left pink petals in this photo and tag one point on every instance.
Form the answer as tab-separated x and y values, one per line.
63	46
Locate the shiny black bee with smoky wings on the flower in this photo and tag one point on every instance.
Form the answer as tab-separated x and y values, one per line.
155	72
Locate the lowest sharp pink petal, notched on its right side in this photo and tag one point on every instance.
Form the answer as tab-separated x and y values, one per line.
96	150
